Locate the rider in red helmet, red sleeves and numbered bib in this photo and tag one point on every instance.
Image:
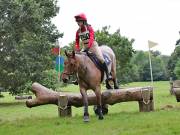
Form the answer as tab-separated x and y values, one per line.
86	34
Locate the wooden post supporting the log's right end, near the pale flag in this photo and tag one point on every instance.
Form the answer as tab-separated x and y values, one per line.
146	104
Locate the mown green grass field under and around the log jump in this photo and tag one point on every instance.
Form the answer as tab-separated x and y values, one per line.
123	118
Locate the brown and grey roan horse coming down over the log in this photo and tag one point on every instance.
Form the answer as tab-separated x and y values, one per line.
89	76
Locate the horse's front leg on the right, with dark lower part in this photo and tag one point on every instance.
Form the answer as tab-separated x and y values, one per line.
99	104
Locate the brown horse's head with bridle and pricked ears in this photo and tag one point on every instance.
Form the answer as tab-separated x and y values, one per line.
70	66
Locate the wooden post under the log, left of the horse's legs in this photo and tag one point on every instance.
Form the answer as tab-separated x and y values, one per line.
63	108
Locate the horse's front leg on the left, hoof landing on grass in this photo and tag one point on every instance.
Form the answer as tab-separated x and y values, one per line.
85	102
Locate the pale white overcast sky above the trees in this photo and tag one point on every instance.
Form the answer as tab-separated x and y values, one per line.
142	20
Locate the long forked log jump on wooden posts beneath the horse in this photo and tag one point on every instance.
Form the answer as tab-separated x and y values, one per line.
144	96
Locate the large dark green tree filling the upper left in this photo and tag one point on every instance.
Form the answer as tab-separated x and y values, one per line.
26	38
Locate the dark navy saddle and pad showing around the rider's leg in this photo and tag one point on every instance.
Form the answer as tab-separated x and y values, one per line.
98	64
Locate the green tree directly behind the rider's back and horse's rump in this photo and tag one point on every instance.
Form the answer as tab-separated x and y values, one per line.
122	48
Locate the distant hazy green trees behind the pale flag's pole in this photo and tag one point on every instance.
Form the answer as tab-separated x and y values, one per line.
140	61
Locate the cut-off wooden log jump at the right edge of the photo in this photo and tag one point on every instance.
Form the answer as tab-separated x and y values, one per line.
175	88
